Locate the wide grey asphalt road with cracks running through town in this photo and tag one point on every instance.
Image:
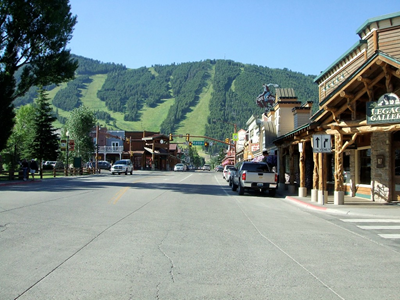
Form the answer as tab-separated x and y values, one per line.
166	235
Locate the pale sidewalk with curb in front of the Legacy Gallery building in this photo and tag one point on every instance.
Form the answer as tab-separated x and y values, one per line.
353	206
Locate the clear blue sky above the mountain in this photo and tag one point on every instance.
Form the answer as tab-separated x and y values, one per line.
304	36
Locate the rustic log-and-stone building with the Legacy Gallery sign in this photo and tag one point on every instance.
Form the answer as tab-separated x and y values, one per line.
359	116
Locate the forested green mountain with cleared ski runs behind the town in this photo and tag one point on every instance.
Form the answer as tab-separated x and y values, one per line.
166	97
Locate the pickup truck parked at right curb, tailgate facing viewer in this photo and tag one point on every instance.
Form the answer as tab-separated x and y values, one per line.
254	175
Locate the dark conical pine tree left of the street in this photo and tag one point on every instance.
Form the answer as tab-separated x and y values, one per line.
45	145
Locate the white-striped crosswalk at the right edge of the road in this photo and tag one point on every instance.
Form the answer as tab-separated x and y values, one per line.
386	228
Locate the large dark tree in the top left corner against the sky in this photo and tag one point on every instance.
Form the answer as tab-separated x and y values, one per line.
34	36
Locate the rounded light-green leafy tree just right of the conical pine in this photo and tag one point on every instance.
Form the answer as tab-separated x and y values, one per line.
79	125
